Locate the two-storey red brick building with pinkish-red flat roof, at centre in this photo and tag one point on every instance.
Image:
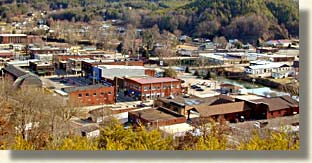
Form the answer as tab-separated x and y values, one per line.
152	88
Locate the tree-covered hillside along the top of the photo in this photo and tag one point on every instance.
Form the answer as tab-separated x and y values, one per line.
247	20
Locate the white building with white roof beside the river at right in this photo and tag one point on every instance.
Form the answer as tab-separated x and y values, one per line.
266	69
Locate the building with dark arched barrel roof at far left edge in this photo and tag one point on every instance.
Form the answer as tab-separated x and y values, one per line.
20	77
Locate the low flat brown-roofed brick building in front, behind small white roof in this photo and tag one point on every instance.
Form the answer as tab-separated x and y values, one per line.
155	117
